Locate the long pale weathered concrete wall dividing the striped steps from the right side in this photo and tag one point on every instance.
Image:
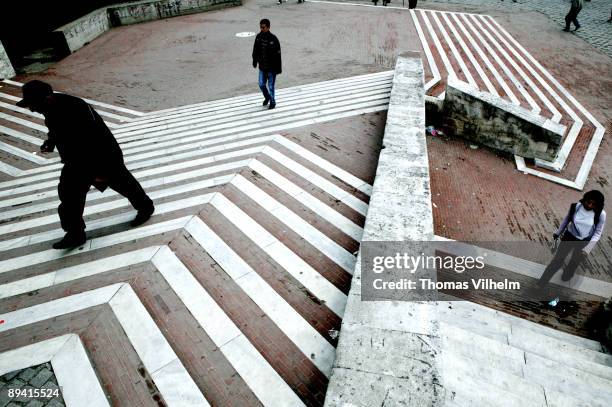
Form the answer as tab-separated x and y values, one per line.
388	351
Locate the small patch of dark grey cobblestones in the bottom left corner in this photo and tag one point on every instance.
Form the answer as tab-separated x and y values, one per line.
35	377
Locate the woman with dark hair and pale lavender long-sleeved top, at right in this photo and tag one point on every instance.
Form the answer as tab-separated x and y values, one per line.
580	231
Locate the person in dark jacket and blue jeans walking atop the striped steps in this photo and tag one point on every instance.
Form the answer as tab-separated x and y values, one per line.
266	53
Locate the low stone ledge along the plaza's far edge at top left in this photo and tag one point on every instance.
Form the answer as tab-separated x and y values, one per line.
76	34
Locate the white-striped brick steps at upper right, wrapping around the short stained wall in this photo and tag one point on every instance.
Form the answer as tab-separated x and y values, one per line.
479	51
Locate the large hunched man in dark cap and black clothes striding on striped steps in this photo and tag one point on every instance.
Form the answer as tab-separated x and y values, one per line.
90	154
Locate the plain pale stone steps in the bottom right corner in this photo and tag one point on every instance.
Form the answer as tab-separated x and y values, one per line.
490	358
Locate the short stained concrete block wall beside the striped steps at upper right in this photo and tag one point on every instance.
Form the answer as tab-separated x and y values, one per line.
490	120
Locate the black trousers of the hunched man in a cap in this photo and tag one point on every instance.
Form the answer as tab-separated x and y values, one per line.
75	183
